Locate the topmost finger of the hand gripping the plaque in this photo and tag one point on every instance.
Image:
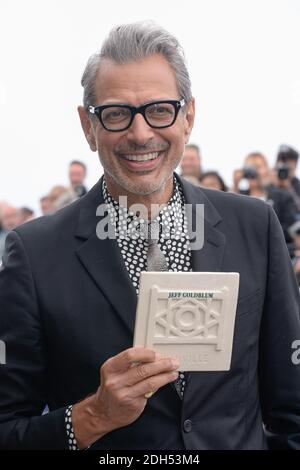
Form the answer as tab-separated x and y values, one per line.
125	359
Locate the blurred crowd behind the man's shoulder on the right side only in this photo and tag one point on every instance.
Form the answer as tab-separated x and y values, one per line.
277	185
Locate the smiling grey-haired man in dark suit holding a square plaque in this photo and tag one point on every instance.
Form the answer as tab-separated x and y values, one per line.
68	297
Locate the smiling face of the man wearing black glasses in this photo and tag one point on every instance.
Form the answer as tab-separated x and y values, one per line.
140	160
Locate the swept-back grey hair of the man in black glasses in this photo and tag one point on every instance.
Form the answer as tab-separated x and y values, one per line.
132	42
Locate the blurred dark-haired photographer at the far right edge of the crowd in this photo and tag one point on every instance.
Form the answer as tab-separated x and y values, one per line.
285	173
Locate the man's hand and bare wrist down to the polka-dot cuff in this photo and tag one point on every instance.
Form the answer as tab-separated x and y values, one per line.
120	398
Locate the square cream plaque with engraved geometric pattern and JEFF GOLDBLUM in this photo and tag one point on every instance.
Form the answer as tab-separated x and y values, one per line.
188	315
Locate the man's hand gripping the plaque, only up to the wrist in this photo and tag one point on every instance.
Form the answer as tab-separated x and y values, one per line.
125	379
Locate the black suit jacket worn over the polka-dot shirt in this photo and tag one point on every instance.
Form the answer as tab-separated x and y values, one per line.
67	304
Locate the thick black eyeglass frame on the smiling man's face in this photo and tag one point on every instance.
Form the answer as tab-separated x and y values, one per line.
97	110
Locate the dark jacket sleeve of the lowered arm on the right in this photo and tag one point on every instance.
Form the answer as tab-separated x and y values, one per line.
279	376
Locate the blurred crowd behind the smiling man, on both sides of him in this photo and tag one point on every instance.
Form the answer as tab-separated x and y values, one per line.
277	185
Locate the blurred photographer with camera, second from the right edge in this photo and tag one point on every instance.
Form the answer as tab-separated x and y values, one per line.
255	180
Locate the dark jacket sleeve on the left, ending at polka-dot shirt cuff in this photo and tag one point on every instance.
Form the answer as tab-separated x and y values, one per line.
22	376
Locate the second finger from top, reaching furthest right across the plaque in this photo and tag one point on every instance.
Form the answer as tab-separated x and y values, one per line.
143	371
